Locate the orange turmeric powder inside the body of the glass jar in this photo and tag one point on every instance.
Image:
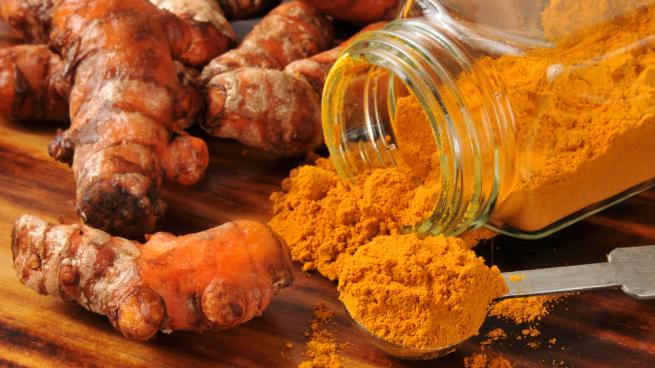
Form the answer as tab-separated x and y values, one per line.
581	112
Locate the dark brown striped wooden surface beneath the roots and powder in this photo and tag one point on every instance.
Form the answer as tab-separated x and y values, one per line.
596	329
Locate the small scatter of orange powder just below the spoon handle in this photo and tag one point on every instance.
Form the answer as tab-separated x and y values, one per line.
522	310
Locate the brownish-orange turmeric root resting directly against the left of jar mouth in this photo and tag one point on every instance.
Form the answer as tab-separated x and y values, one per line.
270	109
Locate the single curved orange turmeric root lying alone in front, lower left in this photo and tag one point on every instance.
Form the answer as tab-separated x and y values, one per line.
215	279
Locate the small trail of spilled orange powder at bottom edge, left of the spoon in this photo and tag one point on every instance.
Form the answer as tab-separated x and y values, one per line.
322	345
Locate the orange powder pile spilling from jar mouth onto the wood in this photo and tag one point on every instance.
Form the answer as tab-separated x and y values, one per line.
324	219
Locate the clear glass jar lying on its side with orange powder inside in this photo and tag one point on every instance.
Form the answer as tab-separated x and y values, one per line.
543	112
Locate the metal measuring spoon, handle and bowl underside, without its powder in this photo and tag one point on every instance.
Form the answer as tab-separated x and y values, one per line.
632	269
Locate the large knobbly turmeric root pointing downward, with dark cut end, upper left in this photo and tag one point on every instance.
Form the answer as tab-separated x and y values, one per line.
125	105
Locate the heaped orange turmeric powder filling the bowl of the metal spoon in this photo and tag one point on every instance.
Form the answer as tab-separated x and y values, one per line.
413	292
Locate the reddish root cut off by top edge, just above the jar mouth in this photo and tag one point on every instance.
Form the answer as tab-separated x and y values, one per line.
357	11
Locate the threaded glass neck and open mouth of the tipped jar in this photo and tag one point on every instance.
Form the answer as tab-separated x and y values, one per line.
468	114
